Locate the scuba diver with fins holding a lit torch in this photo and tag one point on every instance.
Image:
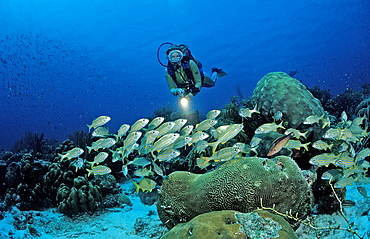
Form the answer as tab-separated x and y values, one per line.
184	74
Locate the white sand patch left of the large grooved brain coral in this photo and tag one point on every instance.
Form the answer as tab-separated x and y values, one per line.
116	223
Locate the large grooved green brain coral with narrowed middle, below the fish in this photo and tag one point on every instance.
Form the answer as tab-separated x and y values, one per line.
239	185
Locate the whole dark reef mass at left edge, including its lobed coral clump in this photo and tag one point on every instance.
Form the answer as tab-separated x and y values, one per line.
35	181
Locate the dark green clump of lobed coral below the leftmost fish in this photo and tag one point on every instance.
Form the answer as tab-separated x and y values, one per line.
71	190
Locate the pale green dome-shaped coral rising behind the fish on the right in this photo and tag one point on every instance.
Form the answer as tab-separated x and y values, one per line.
277	91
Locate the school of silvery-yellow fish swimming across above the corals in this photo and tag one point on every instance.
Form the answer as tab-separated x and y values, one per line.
156	141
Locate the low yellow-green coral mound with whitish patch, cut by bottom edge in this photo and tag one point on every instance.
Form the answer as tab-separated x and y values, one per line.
233	224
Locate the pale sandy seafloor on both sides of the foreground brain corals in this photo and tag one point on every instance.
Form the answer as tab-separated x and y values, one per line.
120	222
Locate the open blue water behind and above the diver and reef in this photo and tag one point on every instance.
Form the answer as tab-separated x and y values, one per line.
64	63
